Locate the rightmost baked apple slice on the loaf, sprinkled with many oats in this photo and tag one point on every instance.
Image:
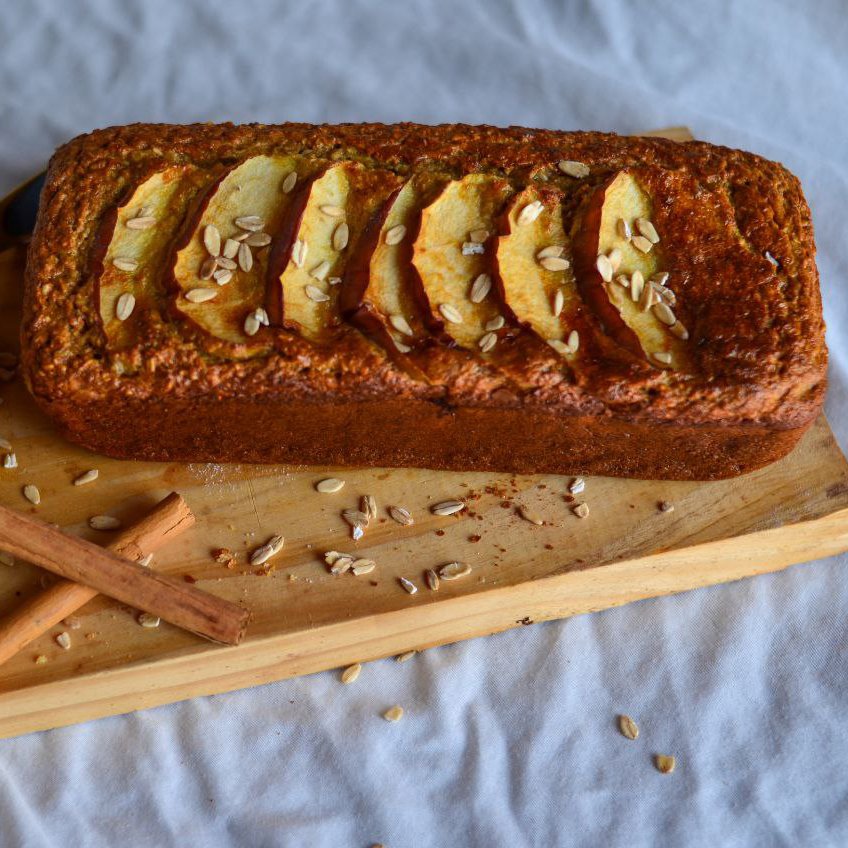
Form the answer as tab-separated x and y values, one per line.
618	262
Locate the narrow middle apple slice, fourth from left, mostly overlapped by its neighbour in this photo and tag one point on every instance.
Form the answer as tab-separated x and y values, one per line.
378	292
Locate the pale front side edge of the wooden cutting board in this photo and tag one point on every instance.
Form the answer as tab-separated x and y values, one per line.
265	660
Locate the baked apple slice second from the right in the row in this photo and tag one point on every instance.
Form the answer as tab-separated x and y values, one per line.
534	269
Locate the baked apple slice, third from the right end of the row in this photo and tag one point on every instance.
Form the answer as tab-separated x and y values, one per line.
453	257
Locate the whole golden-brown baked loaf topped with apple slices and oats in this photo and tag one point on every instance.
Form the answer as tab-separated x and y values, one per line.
455	297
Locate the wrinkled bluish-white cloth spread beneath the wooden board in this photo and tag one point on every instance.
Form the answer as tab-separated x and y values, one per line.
507	741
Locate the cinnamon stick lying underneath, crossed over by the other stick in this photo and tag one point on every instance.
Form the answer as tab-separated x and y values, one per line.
170	517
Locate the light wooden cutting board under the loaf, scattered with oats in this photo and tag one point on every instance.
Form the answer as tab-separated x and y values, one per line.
306	620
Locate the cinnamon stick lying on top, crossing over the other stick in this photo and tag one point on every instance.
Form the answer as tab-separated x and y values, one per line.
172	600
